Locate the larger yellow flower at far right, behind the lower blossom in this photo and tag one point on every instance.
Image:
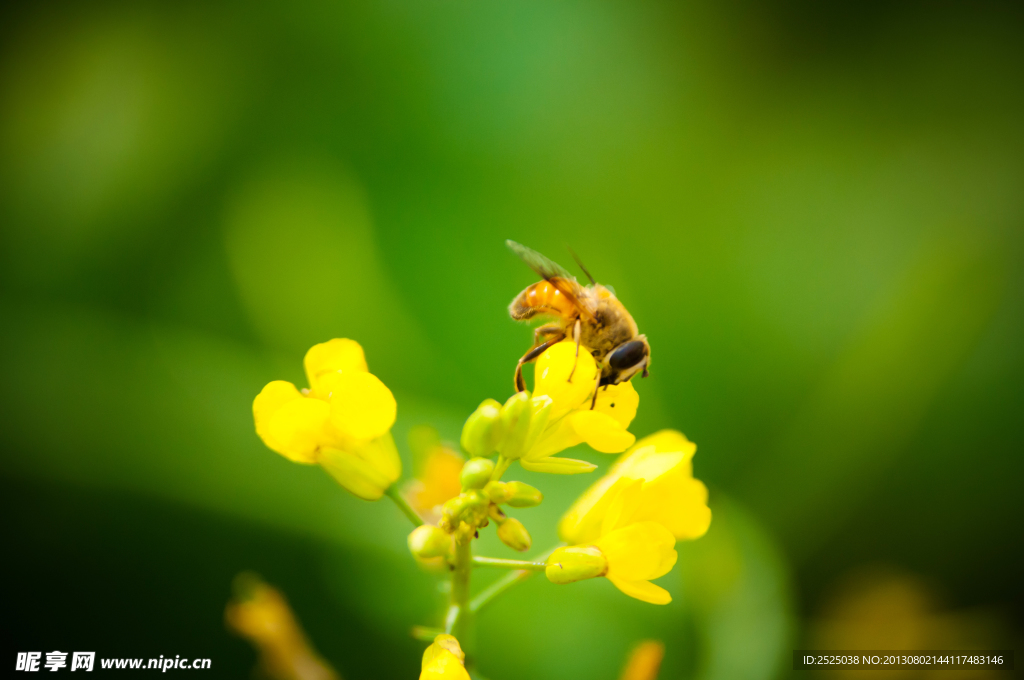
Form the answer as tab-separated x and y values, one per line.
662	465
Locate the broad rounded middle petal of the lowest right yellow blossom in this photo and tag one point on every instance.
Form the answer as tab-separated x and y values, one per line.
639	552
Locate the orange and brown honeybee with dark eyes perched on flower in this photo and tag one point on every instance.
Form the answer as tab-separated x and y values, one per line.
592	316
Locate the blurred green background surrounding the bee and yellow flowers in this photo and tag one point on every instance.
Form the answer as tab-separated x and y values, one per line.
814	210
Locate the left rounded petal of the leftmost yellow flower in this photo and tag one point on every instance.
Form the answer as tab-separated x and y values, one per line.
291	424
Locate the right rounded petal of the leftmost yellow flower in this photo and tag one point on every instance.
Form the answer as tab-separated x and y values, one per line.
362	407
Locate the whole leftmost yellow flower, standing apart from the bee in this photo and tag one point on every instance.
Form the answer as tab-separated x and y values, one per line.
343	421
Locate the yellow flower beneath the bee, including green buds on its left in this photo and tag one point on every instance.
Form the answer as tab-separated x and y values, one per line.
533	430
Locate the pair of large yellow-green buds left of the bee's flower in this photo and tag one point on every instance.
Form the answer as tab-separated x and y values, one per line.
511	430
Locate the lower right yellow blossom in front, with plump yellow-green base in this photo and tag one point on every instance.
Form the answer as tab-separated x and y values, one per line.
628	554
